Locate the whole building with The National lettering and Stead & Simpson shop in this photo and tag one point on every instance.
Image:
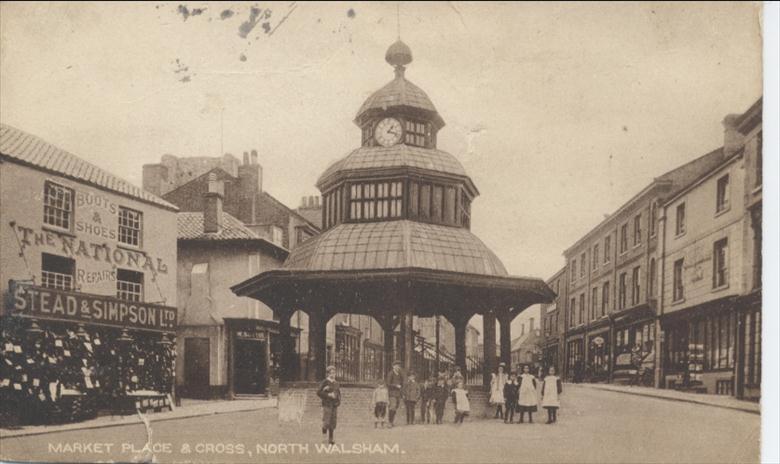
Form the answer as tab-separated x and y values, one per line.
88	283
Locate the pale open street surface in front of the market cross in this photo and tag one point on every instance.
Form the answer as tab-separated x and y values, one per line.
594	426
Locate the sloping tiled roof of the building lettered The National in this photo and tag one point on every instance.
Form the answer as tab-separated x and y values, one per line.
34	151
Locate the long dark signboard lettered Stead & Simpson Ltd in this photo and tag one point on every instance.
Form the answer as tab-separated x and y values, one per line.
47	303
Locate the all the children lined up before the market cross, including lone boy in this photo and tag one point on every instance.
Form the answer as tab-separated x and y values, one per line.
509	394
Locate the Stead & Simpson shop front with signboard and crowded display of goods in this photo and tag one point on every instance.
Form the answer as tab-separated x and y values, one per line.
66	356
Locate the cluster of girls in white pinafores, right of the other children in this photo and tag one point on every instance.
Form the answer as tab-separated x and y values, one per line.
519	393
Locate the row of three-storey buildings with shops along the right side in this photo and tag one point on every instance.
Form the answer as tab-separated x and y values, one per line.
668	287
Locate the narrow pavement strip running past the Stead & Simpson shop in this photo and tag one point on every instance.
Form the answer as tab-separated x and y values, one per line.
189	408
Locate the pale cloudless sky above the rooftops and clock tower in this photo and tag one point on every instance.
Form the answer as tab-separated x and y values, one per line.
559	112
